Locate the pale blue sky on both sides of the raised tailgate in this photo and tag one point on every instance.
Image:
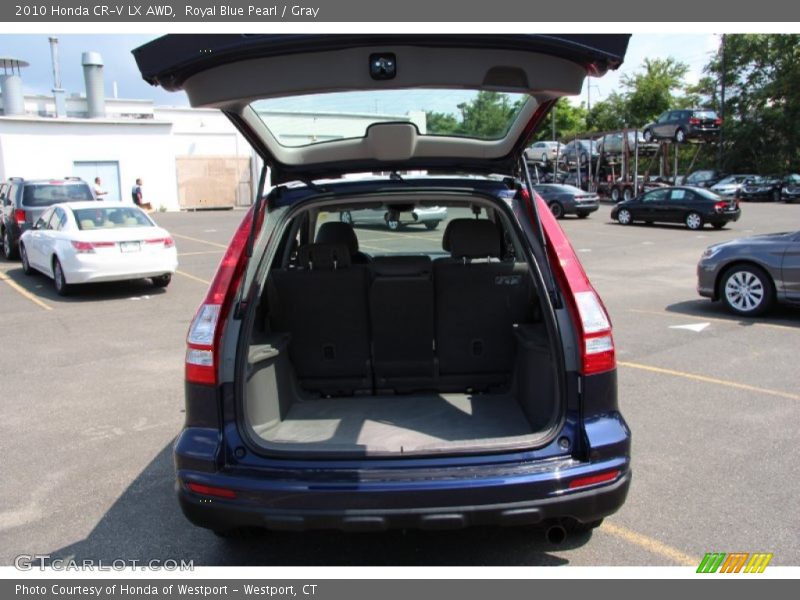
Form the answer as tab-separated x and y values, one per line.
693	49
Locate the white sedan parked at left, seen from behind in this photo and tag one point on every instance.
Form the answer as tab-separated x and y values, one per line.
85	242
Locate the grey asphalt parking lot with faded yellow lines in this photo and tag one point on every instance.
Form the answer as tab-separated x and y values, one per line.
92	395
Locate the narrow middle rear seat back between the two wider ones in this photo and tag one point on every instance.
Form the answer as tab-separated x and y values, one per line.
402	320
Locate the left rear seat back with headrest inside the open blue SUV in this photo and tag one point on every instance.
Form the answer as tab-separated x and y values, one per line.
323	305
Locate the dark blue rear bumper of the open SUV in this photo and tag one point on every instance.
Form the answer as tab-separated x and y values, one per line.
525	499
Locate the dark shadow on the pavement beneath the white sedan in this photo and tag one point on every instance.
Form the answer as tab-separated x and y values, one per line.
42	287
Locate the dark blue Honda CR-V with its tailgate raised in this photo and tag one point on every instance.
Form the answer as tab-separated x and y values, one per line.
364	379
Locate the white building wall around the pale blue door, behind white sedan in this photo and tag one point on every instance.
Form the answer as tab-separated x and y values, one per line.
39	148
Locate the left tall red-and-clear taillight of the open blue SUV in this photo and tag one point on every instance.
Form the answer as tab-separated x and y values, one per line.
202	342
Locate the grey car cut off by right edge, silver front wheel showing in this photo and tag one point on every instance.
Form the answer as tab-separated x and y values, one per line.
751	274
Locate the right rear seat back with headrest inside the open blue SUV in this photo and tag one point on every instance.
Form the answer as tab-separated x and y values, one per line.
478	300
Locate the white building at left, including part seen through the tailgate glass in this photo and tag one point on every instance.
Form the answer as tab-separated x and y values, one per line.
187	158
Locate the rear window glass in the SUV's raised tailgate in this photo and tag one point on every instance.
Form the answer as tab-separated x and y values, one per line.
344	115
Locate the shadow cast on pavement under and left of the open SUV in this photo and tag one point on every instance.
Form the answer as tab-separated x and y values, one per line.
146	524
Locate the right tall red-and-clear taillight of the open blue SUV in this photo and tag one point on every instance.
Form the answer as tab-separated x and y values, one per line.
597	342
